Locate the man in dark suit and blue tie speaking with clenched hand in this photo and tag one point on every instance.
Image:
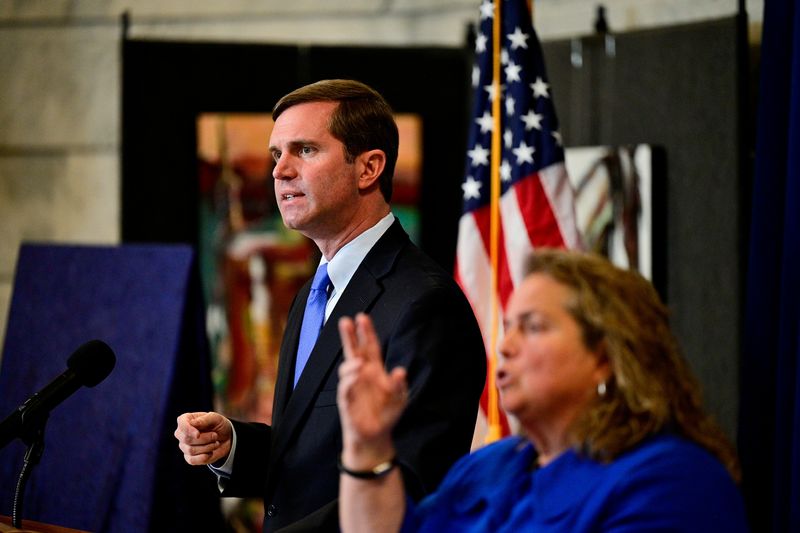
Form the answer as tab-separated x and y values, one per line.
335	147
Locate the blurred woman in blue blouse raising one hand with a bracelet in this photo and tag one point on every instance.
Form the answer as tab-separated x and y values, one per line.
614	436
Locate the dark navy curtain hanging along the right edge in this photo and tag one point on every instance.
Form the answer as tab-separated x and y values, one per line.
770	422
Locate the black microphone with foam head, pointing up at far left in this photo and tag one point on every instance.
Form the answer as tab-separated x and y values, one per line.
90	364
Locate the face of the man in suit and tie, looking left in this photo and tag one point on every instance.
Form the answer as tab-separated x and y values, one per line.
316	188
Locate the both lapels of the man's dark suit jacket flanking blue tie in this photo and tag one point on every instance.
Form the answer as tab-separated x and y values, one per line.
362	291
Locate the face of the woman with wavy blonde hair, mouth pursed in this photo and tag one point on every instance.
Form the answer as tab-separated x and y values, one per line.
545	374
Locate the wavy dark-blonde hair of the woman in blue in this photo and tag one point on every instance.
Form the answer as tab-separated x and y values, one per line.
651	388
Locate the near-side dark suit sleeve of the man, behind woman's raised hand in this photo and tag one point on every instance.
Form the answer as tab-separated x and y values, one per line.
437	339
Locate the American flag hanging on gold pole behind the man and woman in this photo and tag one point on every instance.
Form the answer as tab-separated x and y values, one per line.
535	205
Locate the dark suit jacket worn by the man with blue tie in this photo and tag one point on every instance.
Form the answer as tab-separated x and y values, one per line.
426	325
